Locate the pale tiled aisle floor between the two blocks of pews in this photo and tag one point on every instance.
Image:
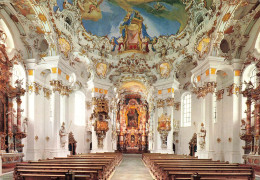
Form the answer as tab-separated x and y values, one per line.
132	168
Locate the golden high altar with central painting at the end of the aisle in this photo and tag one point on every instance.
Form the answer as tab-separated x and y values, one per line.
132	126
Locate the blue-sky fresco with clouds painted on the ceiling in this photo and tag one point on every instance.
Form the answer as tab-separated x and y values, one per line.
104	17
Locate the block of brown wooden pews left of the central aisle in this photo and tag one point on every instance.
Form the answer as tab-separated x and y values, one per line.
93	166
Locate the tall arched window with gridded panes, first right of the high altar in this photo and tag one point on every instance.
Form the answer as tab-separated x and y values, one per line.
186	110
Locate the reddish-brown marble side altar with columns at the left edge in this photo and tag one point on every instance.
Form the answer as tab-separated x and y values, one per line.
11	134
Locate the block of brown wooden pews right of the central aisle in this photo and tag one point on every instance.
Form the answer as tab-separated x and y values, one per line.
170	167
